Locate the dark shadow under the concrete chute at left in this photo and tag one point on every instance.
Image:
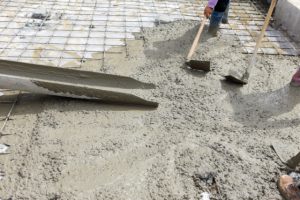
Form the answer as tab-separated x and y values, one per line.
33	104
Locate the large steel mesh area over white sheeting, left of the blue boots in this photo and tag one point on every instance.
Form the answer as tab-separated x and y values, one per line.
67	32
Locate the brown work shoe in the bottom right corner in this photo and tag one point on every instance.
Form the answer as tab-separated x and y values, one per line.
289	188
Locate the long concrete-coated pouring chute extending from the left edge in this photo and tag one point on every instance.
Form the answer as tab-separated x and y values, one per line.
71	83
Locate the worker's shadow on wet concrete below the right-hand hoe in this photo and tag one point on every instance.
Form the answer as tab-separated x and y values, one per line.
256	110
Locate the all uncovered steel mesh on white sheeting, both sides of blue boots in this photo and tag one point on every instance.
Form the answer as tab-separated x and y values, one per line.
66	33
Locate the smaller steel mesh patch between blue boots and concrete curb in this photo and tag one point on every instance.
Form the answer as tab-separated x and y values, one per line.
246	20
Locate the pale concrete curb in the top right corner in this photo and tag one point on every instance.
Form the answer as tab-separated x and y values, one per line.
288	16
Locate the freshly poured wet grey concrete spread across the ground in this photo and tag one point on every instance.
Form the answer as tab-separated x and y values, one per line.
205	136
